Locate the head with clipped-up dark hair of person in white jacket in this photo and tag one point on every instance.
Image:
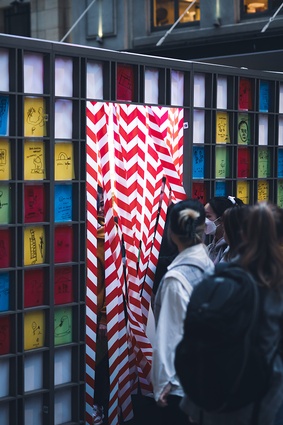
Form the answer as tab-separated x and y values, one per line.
186	224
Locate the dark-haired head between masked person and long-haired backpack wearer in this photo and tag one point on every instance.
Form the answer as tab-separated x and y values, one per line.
234	222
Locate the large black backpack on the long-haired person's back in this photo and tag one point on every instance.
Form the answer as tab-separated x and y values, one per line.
219	362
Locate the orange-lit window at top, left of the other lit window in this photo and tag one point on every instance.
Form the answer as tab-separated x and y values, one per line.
166	12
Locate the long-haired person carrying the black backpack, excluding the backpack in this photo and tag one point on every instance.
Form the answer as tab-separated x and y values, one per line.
260	253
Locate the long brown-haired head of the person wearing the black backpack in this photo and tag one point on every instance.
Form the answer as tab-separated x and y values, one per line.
261	250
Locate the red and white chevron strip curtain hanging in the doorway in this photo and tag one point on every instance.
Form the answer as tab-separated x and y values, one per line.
129	149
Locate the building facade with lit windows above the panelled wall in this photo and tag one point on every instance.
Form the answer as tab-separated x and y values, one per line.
233	32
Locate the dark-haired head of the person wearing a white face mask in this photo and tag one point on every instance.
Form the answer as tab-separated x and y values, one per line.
214	210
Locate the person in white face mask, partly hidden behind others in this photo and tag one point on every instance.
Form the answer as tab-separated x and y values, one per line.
214	210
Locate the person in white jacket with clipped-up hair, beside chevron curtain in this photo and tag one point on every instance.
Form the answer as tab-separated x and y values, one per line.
186	227
